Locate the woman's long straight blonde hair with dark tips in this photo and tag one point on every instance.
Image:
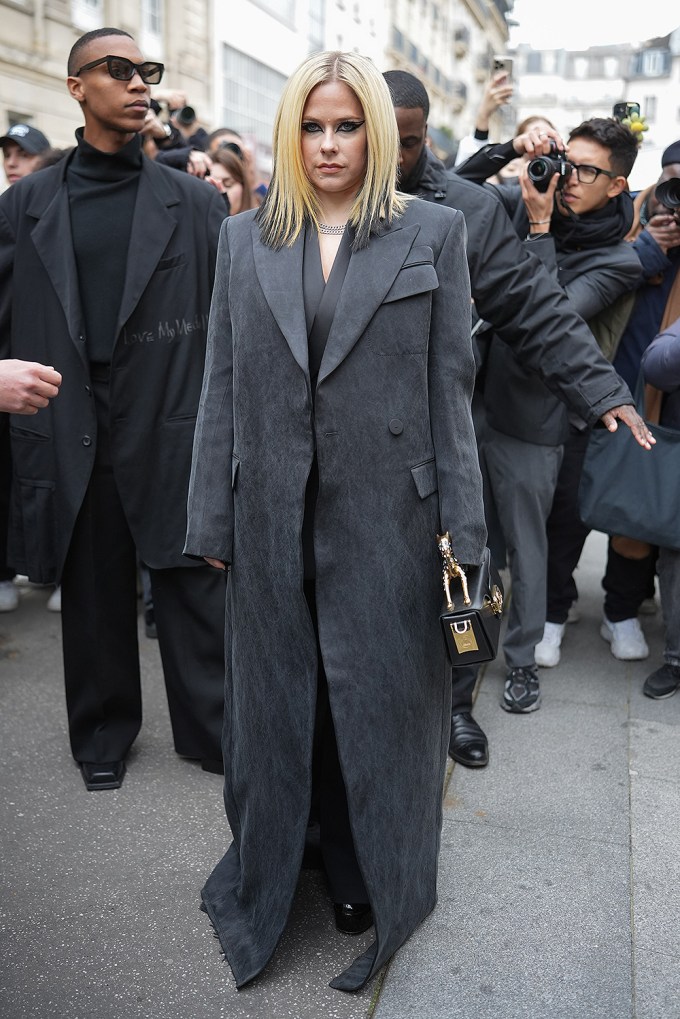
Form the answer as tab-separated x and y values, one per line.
291	198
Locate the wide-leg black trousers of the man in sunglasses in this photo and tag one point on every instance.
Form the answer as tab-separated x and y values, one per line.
99	630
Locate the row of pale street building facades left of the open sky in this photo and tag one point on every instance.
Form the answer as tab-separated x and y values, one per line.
232	60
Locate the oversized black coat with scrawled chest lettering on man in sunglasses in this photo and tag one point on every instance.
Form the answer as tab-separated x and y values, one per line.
156	366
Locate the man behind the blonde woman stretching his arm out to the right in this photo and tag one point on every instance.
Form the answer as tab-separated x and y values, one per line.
528	309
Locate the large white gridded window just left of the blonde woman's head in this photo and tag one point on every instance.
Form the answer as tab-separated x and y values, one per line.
250	95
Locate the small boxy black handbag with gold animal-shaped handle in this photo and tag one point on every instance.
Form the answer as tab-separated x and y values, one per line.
474	607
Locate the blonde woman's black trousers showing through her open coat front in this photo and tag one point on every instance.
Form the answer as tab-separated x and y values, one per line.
330	805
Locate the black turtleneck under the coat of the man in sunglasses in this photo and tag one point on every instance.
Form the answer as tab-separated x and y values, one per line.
102	193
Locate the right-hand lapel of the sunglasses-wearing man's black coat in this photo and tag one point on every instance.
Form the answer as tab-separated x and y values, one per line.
152	229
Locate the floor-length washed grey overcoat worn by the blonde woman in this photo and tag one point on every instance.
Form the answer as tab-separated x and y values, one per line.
398	462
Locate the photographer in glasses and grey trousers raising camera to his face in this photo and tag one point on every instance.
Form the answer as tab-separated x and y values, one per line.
573	211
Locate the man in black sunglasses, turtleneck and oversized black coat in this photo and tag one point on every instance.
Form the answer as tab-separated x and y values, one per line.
114	262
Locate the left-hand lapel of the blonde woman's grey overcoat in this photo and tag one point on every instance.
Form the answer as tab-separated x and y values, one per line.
280	274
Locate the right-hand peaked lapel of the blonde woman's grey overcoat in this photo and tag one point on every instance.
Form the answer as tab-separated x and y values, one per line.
372	274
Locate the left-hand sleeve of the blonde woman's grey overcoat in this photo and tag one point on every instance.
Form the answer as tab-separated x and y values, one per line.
211	504
